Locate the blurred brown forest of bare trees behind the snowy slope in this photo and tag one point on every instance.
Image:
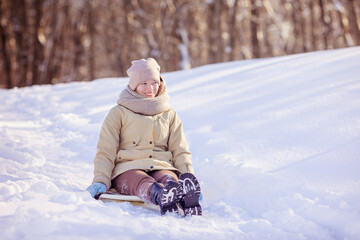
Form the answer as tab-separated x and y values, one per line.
53	41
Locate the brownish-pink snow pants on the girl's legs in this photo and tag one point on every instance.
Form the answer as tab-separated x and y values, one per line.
138	182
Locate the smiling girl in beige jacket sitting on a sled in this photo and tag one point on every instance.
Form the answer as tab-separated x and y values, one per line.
142	148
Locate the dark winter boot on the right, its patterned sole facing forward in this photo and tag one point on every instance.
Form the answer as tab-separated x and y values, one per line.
188	194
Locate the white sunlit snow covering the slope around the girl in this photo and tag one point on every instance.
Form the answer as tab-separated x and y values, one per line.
275	143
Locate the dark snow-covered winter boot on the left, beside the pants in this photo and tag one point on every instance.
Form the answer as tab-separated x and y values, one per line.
165	196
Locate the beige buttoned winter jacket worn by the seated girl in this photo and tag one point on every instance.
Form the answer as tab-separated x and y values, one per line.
133	141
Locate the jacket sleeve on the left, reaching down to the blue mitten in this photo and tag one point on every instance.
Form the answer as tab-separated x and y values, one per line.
107	148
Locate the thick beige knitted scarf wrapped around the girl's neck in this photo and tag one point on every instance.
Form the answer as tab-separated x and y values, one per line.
143	105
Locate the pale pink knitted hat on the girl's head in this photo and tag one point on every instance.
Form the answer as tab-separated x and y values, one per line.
142	70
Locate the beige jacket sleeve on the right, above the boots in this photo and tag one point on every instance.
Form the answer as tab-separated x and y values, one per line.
178	147
